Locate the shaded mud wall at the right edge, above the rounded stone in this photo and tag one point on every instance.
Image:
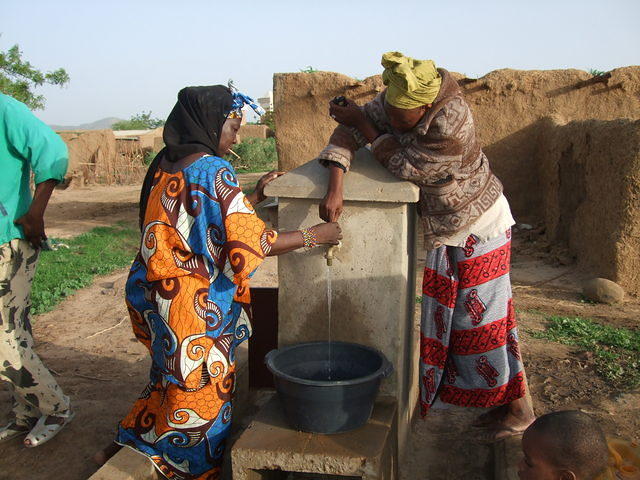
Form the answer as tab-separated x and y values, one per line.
589	175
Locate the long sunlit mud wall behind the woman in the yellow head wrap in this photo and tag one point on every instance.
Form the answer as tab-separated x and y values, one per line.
507	106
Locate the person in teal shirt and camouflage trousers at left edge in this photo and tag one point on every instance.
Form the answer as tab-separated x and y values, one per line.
27	146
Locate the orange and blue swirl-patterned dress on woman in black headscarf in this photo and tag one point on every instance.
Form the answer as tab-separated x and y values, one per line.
201	243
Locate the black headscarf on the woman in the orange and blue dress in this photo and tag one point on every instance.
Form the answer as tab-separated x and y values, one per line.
194	125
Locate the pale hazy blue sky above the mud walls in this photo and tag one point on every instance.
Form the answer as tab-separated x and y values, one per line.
125	57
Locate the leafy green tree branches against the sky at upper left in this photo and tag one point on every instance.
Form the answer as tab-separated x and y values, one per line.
18	78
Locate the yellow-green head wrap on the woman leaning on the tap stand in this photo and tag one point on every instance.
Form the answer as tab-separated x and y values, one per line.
410	83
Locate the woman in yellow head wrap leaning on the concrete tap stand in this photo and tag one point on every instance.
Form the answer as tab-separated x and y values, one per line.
421	129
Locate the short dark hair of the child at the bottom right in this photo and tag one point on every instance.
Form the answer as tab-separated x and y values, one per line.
577	440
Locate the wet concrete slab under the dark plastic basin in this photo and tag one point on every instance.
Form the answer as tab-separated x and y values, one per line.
270	450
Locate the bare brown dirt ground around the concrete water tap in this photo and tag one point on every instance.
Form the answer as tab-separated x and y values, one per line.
88	342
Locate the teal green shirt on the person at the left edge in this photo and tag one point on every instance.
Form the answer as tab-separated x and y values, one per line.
26	144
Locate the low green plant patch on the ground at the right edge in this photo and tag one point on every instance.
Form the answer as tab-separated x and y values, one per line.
616	351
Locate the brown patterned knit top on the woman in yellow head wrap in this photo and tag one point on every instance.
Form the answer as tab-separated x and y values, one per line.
441	155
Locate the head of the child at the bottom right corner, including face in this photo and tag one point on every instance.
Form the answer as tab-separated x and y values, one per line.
567	445
